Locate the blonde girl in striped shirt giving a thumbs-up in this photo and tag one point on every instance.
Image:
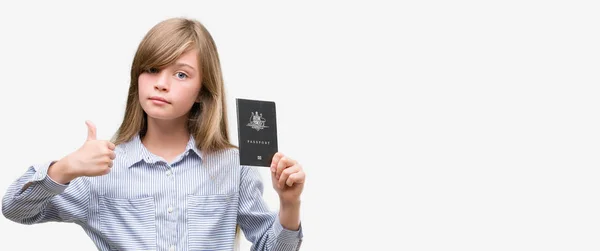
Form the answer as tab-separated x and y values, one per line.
170	179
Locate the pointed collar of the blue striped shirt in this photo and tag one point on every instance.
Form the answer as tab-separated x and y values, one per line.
135	151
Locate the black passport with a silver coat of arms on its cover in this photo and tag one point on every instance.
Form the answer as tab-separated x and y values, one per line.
257	131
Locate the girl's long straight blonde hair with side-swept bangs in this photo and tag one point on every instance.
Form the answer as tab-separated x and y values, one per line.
161	46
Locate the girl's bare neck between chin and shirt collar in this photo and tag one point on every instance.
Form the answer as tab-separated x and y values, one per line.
166	138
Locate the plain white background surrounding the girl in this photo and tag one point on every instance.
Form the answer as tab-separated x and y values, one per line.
437	125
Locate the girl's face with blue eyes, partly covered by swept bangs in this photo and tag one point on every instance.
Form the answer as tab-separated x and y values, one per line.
170	92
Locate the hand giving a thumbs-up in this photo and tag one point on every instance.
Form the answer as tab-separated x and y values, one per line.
94	158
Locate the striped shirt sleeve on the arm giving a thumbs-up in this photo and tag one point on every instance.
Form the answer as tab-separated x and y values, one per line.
36	198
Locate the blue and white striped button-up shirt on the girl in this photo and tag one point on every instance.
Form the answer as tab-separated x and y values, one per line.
145	203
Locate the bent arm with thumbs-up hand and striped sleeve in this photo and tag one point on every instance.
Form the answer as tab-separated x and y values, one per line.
52	191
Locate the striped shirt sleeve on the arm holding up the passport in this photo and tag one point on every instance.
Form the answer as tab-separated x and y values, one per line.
261	226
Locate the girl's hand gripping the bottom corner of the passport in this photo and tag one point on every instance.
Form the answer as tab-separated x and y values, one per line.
287	176
